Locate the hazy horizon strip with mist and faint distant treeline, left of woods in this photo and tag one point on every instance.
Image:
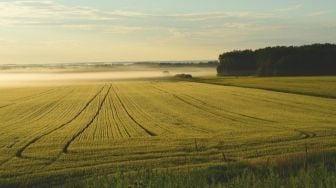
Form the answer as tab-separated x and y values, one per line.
29	76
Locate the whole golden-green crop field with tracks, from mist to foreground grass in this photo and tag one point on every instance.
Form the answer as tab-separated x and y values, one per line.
54	134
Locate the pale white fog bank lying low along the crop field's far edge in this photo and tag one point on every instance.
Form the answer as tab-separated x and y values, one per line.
8	79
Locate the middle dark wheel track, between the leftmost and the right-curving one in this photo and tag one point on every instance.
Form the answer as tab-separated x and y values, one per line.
68	143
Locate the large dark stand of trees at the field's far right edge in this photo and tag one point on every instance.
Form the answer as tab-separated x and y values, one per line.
316	59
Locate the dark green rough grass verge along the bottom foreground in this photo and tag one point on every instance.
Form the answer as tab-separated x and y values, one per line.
318	170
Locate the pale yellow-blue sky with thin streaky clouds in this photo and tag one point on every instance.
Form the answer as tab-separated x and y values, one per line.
66	31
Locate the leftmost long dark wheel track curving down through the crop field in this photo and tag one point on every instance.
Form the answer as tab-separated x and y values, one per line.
34	140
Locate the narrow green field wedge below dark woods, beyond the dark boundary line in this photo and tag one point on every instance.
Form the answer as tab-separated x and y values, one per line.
324	86
